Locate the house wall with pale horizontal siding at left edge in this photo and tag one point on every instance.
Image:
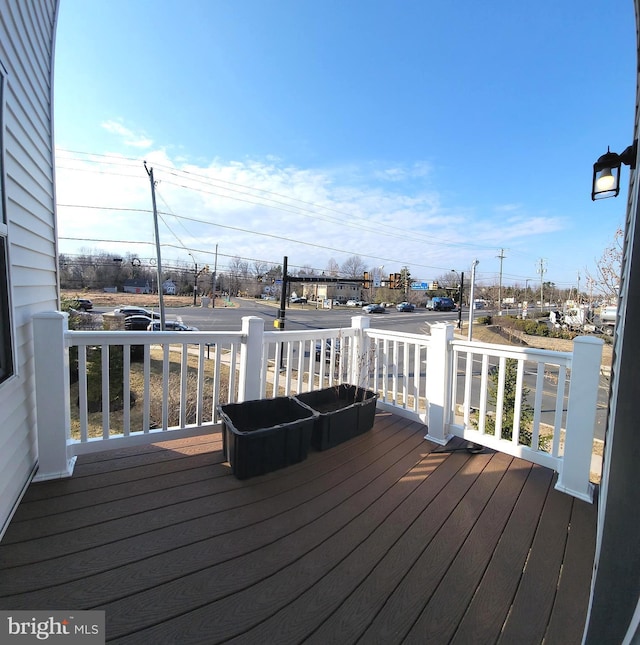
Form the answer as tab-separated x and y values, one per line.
27	32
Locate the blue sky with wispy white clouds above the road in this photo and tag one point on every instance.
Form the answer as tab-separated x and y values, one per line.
409	132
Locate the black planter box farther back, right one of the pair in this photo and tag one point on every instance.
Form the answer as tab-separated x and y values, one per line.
344	412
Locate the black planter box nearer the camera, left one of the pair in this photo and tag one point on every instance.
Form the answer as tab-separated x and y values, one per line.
265	435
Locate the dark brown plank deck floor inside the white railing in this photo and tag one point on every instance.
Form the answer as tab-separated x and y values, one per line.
386	539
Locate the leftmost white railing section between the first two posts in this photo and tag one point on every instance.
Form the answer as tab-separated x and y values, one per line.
188	379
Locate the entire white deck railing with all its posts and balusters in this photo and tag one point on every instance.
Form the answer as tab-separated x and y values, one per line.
533	404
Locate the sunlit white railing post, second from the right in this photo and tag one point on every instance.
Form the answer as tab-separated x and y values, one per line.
438	386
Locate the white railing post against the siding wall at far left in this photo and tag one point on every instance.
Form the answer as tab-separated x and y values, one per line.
53	416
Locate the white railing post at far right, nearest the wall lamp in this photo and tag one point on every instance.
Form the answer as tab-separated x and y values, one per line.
581	416
